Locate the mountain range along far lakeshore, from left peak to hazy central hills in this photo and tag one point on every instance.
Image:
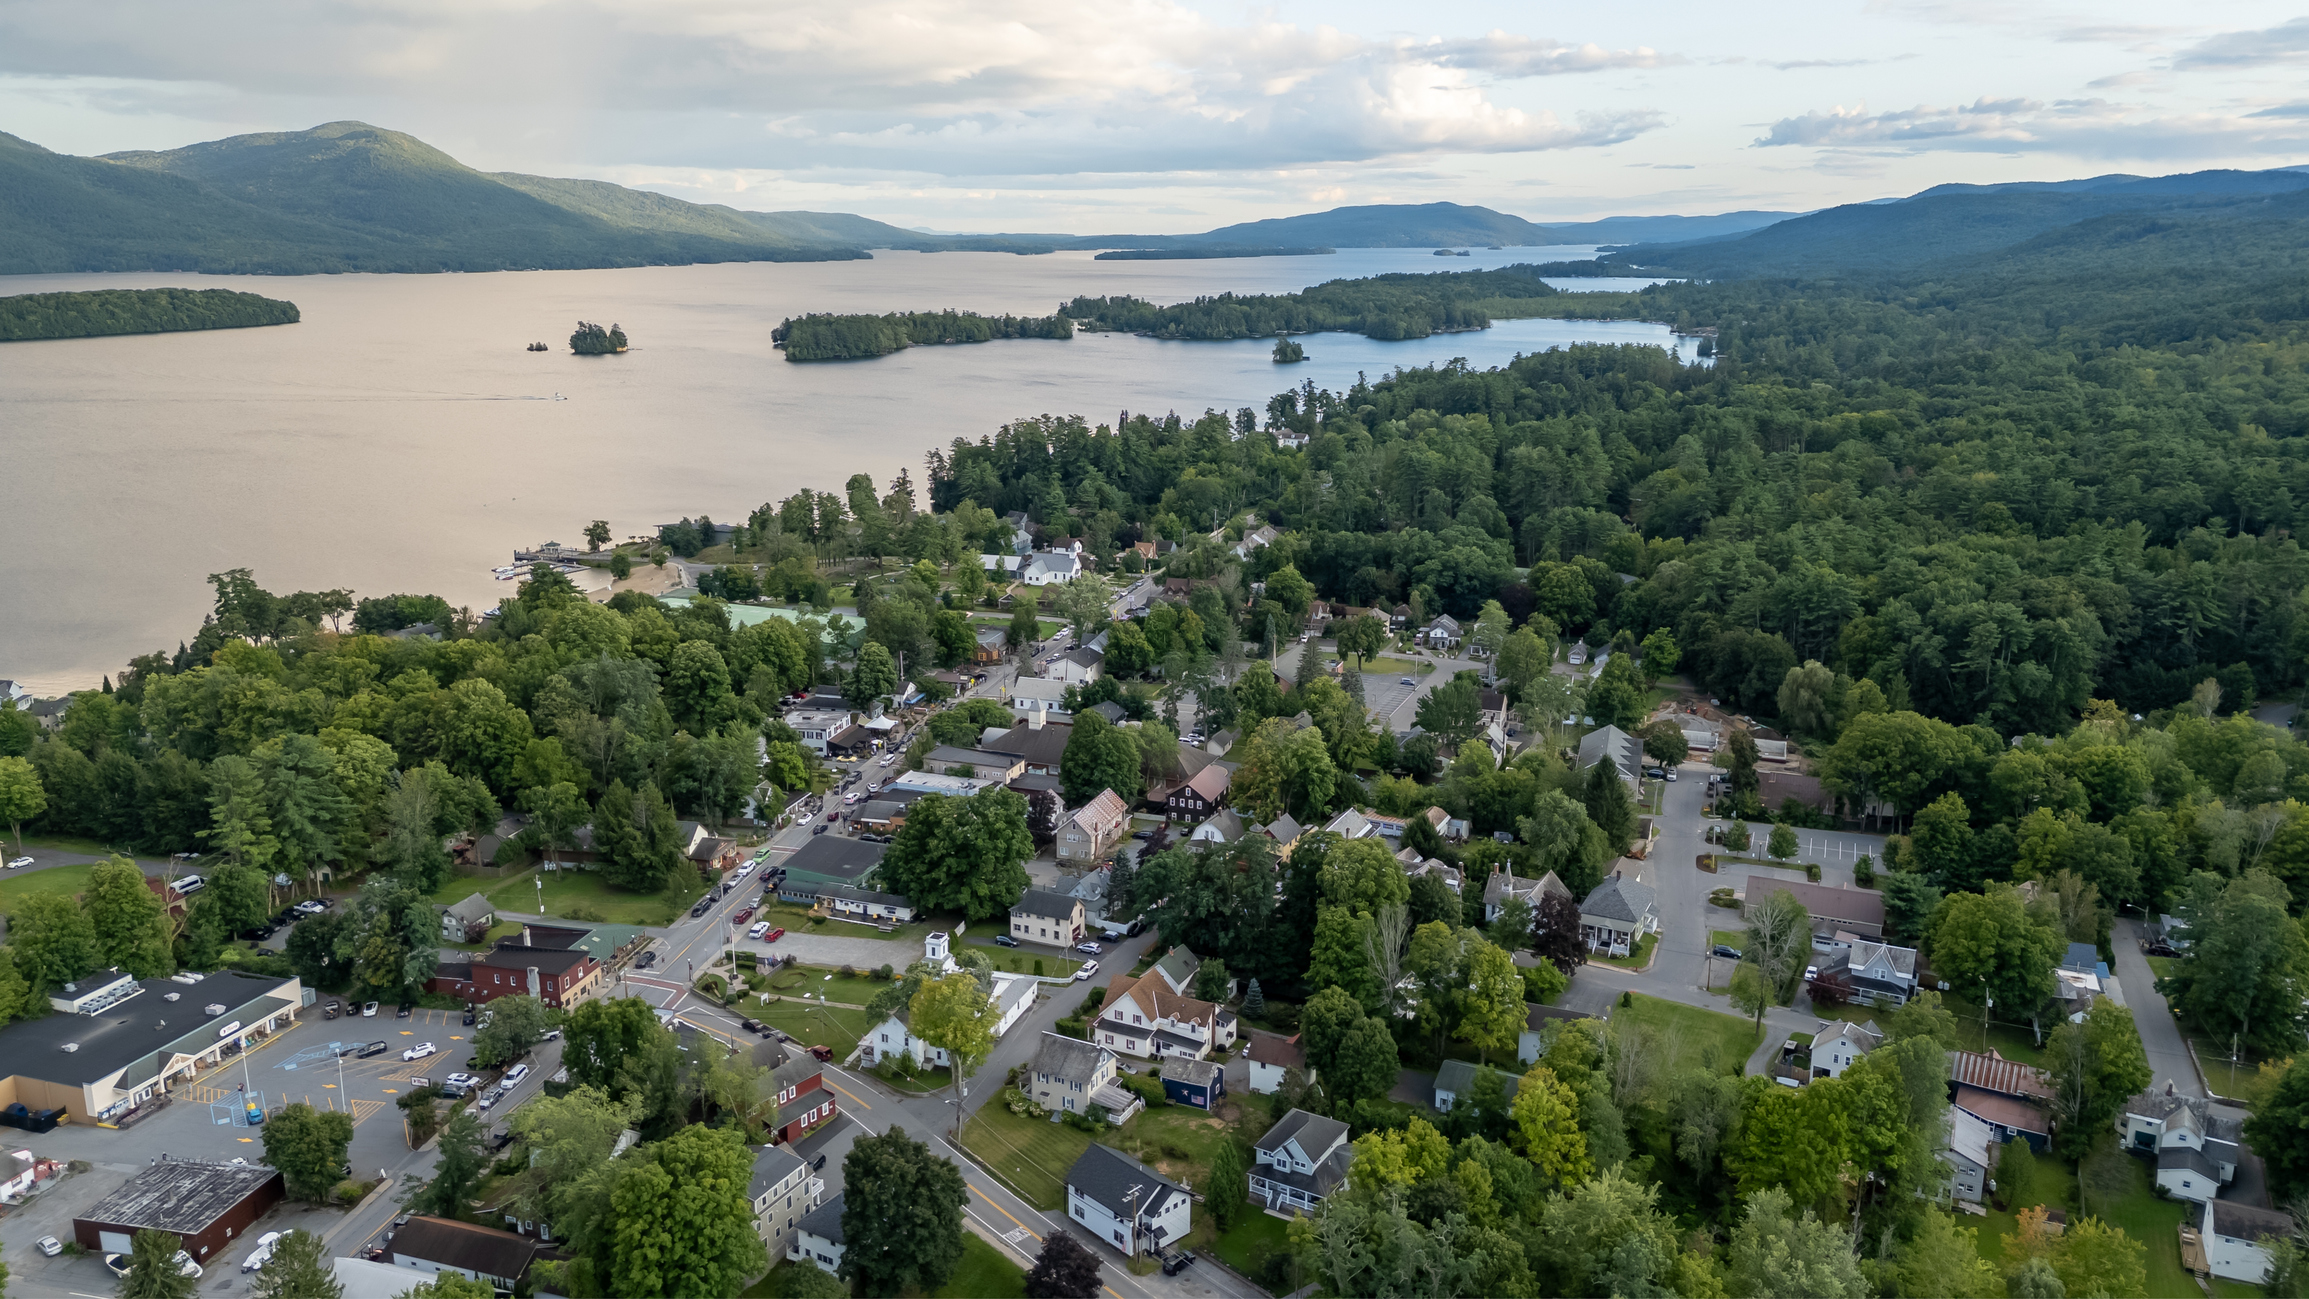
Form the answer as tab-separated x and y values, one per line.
352	197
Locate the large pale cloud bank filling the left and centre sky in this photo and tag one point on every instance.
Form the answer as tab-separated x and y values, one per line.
946	87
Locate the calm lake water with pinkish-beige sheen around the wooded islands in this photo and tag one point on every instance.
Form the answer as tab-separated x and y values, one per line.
401	440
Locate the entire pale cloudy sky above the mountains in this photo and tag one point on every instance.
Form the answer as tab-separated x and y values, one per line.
1165	117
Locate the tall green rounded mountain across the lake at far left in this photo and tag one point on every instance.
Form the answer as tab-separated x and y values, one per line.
354	197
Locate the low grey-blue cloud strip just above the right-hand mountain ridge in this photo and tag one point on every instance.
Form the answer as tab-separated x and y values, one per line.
2082	128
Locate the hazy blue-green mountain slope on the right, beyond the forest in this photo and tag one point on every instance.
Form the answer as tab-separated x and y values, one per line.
1975	227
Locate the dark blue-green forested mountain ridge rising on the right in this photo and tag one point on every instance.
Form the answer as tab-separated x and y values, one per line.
1964	227
